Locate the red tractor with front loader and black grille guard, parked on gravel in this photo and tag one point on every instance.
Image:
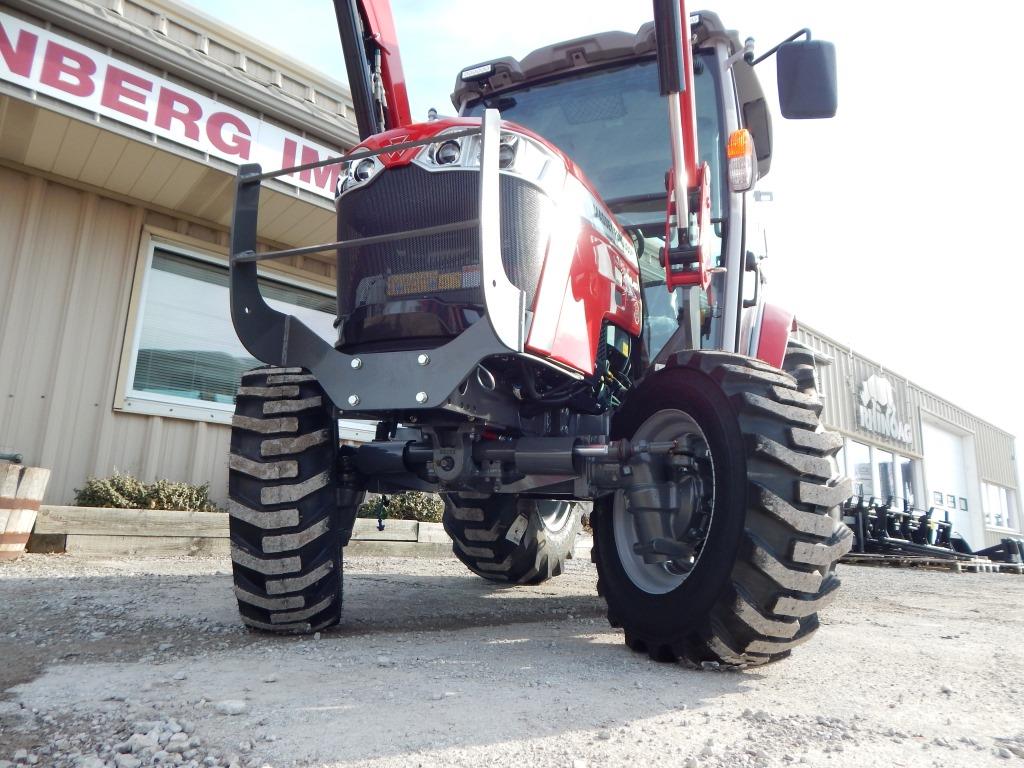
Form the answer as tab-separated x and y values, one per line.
551	302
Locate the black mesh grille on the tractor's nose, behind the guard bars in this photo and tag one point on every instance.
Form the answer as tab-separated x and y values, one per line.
385	278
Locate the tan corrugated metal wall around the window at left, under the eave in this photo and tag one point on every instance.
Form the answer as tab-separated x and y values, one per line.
67	265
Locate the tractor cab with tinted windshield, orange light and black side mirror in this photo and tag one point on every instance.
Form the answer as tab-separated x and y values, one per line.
602	100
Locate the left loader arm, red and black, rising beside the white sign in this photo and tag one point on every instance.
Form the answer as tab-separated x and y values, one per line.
373	63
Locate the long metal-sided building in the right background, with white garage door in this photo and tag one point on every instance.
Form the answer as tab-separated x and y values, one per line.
904	442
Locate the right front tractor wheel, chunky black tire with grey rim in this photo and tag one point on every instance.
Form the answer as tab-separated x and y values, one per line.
766	564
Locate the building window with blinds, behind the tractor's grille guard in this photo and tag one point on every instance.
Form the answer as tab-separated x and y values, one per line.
187	360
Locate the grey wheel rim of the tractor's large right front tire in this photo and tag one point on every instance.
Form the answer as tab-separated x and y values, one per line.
659	579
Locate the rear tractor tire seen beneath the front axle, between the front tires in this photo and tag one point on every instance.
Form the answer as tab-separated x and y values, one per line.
514	539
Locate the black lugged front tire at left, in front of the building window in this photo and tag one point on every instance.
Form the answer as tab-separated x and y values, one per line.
286	542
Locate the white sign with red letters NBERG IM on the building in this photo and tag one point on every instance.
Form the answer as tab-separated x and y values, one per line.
44	62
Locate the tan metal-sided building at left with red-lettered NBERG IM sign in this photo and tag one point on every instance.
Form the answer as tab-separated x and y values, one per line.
122	124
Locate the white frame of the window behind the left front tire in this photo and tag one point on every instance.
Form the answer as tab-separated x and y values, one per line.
148	404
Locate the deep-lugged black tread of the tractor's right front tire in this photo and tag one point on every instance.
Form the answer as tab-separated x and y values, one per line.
791	540
